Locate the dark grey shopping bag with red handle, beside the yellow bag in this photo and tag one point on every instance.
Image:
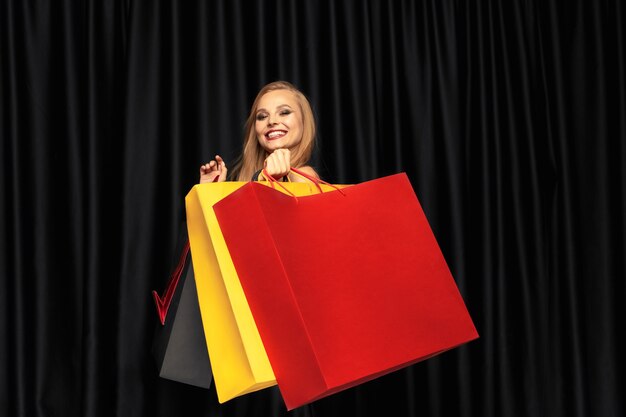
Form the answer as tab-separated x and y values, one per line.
179	347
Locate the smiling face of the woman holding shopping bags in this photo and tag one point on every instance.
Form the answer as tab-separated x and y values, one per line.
278	121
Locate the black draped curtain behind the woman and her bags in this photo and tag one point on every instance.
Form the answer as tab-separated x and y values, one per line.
508	117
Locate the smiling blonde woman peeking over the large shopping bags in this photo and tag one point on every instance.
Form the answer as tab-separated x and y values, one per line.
280	134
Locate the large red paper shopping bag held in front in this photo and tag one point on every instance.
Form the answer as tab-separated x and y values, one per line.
343	286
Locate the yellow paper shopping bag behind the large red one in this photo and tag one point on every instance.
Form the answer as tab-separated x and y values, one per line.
239	362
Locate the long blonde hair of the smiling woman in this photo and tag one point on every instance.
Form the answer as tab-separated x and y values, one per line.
253	155
